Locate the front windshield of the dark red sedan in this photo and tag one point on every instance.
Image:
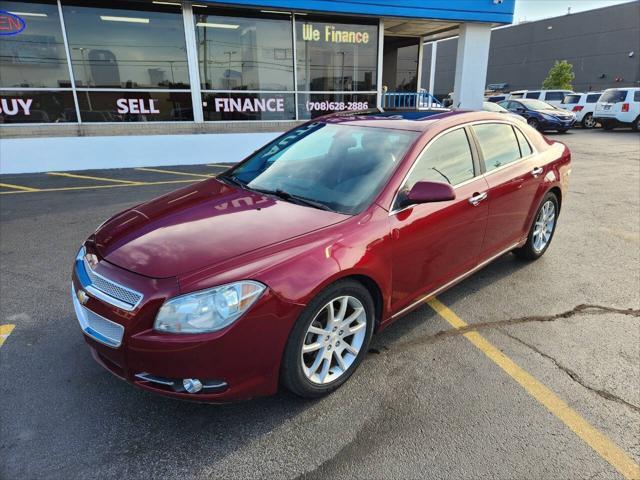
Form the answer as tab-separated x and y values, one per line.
332	166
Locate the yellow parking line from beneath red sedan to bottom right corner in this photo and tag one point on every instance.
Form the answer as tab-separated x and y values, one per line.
592	437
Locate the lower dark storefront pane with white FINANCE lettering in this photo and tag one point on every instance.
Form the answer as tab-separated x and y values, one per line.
249	106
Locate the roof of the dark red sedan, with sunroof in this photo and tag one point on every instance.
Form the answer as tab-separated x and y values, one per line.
412	120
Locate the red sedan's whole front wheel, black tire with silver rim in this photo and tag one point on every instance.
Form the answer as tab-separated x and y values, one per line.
308	374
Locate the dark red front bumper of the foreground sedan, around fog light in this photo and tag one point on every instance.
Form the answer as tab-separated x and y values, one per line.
238	362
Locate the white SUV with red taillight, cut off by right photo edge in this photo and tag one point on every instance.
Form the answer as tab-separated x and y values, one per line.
619	107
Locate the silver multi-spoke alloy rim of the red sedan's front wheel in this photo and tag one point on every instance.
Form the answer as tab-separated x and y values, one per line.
333	340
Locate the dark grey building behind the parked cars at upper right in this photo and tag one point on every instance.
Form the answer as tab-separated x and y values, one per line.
602	44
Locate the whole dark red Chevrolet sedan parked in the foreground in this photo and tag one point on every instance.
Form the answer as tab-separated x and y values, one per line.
280	270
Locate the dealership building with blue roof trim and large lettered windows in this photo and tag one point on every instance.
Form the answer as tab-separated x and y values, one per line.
193	82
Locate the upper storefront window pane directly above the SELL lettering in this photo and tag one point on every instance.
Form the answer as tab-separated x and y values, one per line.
127	44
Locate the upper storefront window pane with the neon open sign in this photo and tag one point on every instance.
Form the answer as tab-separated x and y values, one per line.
31	48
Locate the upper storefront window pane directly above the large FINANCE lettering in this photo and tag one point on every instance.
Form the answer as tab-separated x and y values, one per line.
244	53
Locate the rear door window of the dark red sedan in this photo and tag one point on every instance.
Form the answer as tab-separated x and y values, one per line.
498	144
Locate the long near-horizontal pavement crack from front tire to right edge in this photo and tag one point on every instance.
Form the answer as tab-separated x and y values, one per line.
578	309
